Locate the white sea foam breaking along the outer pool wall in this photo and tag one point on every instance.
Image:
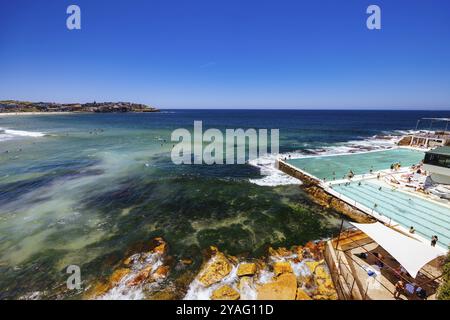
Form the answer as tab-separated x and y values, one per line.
274	177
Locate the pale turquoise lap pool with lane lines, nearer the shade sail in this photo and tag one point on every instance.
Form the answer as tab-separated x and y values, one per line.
428	218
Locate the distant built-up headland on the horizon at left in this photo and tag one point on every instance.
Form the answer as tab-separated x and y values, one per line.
13	106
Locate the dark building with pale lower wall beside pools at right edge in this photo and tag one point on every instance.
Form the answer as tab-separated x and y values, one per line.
437	164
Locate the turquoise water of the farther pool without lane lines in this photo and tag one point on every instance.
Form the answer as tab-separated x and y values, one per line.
329	167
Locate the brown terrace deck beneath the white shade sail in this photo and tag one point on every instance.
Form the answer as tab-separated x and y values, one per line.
349	272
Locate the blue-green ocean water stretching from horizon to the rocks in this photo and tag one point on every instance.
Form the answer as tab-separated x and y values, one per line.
90	189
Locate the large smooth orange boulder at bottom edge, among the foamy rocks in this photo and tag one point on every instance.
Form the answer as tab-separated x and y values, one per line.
283	288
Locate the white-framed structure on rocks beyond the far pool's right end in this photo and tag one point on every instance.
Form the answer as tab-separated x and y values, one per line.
428	138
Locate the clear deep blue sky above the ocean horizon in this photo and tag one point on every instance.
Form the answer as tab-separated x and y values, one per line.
228	53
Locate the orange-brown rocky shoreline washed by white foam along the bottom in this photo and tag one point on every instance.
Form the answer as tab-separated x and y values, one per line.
297	273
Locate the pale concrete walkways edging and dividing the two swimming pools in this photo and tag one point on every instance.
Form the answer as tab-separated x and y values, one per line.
327	187
